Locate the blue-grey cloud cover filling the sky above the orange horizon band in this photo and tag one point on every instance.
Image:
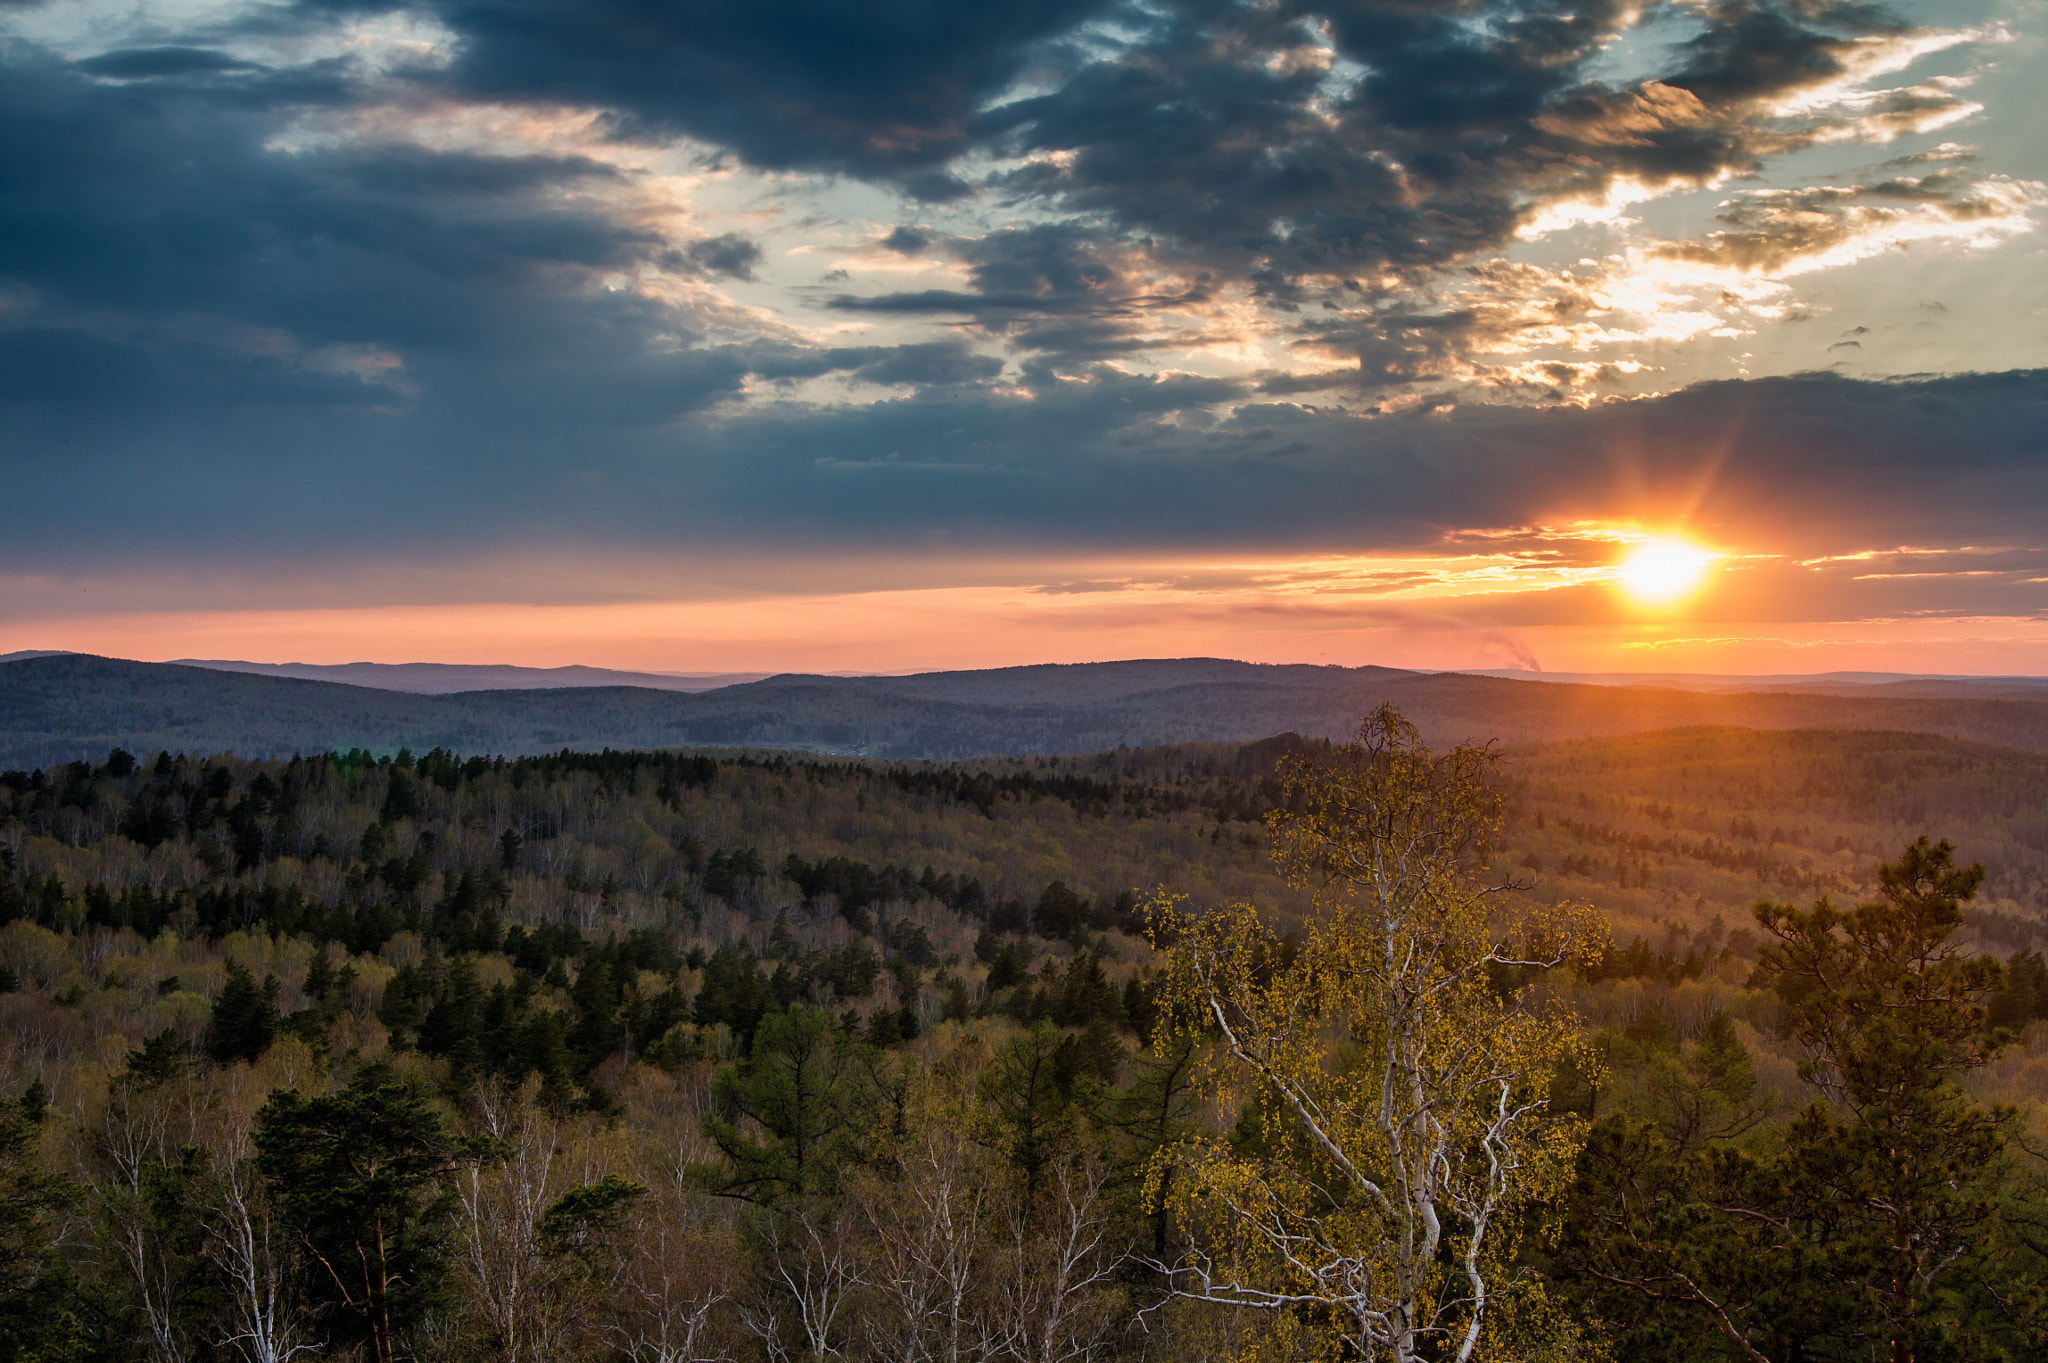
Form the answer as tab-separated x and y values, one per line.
1199	277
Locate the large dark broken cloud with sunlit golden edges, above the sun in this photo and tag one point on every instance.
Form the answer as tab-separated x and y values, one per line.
1224	144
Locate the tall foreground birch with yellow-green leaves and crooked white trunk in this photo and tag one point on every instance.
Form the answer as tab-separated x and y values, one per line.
1396	1131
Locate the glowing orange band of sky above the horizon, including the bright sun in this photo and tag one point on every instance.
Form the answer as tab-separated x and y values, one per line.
1596	597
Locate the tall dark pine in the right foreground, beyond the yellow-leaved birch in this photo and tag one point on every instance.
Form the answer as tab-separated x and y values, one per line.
1877	1221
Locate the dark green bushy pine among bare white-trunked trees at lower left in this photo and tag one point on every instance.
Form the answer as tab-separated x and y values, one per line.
361	1182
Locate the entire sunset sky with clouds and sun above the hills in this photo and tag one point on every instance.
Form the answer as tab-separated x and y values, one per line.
902	335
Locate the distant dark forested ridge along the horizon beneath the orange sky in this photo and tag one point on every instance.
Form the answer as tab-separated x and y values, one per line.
73	707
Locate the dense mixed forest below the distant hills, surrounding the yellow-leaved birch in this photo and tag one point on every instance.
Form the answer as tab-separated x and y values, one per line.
761	1055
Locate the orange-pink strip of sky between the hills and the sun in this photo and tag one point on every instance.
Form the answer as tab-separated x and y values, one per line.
980	627
